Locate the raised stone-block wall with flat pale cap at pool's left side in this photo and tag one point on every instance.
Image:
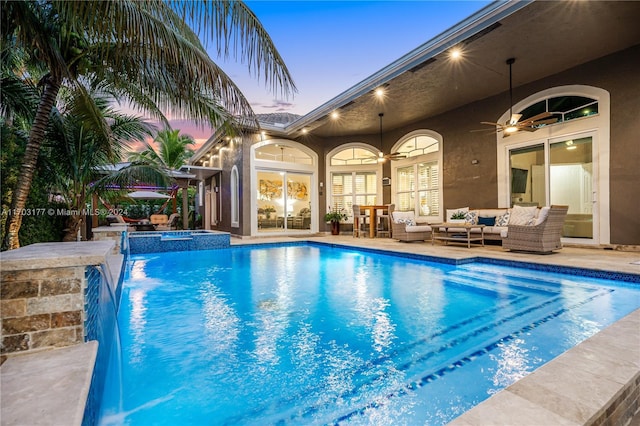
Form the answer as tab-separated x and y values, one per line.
42	294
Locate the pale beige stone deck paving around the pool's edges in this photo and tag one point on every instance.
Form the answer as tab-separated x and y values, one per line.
577	388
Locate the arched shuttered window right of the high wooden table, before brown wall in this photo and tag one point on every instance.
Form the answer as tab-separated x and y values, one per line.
418	186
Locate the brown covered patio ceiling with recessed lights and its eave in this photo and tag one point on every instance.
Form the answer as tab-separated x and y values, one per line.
545	37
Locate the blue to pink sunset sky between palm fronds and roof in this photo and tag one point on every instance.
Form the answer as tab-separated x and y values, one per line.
329	46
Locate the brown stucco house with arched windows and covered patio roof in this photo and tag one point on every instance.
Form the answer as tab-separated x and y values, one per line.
576	60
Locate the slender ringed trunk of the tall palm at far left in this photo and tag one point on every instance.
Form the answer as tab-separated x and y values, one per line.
30	160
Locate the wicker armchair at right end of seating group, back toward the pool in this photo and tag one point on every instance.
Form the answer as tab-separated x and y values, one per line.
541	238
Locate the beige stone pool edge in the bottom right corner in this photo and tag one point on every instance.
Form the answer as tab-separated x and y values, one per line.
595	383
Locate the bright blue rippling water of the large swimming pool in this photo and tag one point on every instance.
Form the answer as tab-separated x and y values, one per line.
312	334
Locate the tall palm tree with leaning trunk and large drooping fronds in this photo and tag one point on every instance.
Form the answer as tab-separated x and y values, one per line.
147	50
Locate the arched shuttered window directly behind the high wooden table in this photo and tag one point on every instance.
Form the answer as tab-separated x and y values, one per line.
353	177
